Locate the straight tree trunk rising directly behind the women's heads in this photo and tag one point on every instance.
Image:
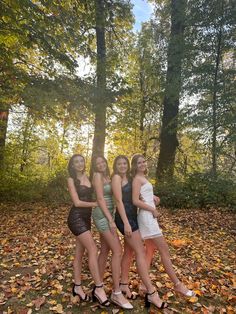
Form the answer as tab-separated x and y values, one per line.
101	102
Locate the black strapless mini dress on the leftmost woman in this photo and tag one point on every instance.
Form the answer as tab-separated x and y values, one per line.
79	219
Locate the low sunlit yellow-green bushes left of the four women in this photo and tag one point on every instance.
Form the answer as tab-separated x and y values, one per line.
32	185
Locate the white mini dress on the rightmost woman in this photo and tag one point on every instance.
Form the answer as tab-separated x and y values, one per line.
148	225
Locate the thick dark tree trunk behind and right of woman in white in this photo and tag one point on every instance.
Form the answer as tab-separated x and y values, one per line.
168	136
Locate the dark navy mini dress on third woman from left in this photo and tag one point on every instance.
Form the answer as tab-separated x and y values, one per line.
130	209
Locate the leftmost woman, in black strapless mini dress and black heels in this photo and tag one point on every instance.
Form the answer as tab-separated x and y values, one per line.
79	222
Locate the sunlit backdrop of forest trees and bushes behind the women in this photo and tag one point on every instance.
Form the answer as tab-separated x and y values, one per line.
77	78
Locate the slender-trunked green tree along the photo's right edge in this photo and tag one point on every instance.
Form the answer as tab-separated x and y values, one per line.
209	71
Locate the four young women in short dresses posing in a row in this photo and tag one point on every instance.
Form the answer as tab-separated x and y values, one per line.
123	201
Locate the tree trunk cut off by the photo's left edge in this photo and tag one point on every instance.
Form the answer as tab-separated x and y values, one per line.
4	113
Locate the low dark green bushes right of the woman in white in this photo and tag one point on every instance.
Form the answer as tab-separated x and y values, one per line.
198	190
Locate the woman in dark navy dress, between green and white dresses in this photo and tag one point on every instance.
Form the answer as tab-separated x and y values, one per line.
126	221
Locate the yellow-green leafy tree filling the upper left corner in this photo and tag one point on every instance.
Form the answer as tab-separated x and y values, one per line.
36	37
